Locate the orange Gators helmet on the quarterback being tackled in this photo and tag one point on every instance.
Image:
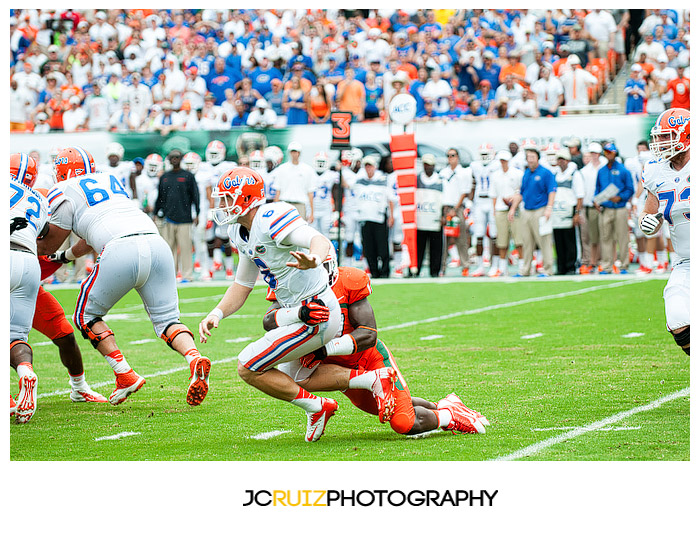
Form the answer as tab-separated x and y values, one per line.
239	190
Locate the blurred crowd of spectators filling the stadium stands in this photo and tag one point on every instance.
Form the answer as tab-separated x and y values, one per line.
165	70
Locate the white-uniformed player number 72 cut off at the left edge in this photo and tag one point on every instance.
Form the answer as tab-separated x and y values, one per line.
29	217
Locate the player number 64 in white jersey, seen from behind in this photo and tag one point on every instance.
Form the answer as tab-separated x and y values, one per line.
133	255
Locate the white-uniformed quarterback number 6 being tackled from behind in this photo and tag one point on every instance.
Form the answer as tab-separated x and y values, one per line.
274	241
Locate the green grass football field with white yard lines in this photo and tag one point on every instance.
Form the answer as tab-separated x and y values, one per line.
565	369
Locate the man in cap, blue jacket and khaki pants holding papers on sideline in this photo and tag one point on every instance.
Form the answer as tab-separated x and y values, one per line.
612	221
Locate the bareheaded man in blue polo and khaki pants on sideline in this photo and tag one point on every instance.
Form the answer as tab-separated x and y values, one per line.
536	193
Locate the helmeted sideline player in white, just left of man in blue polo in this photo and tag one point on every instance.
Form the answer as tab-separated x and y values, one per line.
482	208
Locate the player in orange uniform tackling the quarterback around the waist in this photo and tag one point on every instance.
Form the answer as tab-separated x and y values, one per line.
356	357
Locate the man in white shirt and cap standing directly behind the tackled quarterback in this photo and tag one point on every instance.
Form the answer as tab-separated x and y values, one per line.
295	182
